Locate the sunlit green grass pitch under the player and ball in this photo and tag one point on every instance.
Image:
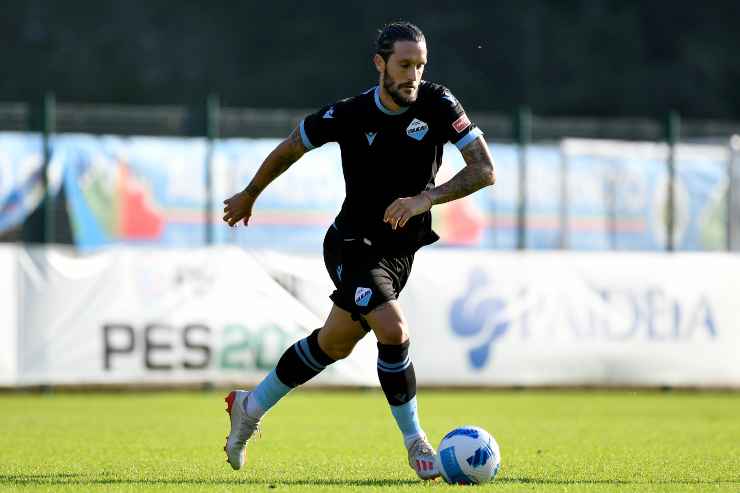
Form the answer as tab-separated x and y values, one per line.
346	441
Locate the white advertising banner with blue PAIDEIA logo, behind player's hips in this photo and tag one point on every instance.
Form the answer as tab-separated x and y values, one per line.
494	318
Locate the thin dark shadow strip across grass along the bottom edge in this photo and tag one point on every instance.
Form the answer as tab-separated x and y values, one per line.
83	479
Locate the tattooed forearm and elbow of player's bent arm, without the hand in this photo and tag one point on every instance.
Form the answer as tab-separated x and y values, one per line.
477	173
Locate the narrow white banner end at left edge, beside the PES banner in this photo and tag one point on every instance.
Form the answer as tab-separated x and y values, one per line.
8	315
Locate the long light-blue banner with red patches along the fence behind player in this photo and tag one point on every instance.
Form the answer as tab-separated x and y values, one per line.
152	191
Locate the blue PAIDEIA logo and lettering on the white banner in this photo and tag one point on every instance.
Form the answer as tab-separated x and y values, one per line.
485	313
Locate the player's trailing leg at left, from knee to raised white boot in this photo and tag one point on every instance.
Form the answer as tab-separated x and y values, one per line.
299	363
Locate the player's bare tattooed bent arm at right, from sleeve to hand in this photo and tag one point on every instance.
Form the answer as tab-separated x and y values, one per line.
478	172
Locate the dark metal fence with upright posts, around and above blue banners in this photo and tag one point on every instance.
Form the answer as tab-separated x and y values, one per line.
520	127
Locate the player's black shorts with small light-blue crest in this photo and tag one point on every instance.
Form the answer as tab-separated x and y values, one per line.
364	278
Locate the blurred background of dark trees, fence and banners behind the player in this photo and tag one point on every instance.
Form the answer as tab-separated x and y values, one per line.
608	239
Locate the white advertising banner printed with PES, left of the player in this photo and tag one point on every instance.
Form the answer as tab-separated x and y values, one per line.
158	316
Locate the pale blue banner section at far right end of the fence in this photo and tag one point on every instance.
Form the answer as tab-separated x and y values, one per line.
618	196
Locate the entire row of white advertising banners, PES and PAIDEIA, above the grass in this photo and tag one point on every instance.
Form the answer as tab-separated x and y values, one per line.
476	318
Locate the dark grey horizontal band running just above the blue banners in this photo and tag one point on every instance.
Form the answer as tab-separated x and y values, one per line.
253	122
